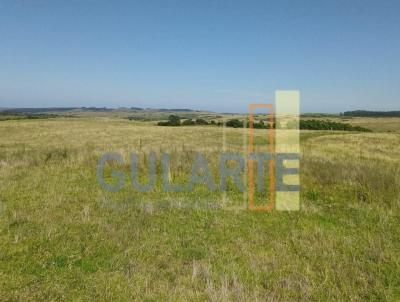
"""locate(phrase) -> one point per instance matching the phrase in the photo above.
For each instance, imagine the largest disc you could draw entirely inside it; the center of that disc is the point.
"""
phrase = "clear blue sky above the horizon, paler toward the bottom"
(206, 55)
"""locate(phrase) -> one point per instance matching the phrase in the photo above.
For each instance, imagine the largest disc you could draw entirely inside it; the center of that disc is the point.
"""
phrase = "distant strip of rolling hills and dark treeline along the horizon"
(380, 121)
